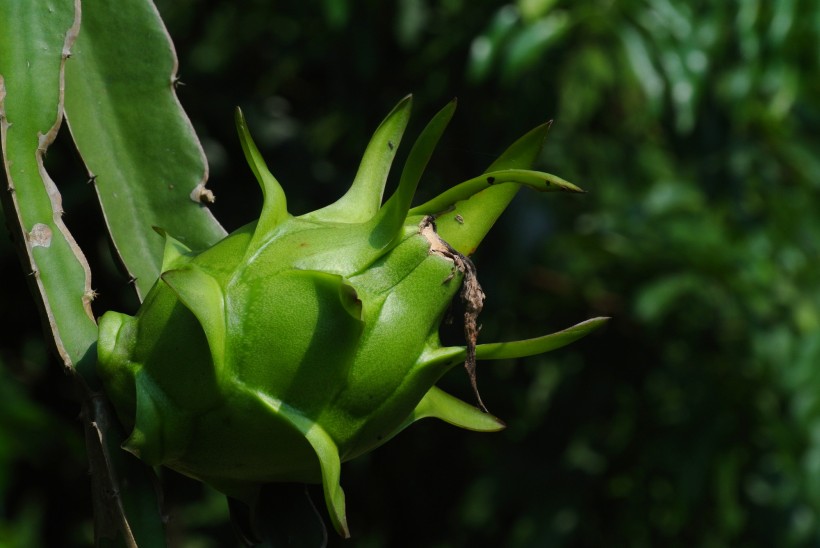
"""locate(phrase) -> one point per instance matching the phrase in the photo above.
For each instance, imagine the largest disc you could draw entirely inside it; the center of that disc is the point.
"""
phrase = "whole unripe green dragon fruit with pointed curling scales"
(300, 342)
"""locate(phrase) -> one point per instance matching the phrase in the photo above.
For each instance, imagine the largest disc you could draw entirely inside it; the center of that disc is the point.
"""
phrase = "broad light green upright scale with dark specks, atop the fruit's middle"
(364, 198)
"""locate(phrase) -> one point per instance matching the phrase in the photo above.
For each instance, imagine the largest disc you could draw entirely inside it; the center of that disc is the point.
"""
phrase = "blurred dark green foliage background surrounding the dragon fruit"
(694, 419)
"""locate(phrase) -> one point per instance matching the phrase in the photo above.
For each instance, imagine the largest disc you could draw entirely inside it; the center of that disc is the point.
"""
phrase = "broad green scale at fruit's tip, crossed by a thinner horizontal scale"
(480, 212)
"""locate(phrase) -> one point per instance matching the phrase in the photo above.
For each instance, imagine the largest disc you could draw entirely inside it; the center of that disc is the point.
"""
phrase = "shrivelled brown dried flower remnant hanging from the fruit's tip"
(471, 295)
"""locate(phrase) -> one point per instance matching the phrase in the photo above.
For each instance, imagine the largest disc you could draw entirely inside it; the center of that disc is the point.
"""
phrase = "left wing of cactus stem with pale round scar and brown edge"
(31, 106)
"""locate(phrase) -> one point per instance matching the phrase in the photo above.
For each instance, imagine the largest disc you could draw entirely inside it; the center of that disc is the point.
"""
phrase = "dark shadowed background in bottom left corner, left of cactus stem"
(43, 473)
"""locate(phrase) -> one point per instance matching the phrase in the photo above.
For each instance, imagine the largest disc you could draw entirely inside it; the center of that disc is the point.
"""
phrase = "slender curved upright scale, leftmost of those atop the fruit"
(275, 206)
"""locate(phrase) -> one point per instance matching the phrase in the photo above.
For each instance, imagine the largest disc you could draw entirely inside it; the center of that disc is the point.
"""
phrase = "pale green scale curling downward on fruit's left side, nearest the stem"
(202, 295)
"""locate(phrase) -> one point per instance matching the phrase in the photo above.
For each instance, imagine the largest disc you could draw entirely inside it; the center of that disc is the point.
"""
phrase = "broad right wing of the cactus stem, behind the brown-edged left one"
(138, 146)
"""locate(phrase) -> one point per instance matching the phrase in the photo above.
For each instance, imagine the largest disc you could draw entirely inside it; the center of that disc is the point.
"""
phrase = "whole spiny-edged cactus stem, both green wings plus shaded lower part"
(64, 60)
